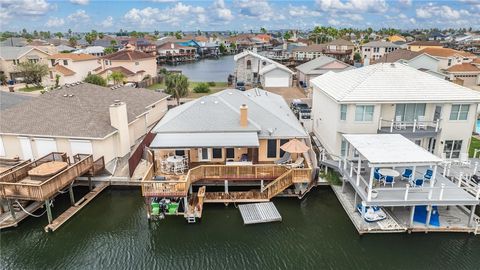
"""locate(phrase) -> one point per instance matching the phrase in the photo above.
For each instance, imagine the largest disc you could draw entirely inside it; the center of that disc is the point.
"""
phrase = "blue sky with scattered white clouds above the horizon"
(238, 15)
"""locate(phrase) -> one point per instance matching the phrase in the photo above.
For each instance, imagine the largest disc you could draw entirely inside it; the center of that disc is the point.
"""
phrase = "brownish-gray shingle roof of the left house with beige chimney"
(83, 115)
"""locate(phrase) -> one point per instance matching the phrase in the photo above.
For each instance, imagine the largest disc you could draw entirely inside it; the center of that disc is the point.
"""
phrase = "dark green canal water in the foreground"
(112, 232)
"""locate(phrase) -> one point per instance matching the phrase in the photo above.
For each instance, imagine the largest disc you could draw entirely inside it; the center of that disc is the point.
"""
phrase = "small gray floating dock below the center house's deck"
(259, 213)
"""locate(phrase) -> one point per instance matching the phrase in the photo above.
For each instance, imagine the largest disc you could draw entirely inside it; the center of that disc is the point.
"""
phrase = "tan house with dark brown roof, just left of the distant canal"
(135, 65)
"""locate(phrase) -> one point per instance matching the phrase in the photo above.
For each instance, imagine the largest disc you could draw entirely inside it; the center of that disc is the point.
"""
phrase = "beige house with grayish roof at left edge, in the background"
(10, 57)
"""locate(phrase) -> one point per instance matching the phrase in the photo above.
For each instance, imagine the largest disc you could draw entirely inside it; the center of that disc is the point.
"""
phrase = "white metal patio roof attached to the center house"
(195, 140)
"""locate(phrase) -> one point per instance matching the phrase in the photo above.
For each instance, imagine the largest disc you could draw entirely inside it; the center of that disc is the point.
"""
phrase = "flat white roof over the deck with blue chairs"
(390, 150)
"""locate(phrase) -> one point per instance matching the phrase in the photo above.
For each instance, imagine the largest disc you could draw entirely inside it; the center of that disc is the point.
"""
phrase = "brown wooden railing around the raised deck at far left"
(12, 188)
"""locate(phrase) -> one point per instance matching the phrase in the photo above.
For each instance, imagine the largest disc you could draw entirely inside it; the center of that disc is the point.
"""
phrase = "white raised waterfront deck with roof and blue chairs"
(388, 170)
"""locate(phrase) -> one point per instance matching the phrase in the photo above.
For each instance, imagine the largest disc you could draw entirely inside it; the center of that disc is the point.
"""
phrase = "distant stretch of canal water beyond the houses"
(207, 70)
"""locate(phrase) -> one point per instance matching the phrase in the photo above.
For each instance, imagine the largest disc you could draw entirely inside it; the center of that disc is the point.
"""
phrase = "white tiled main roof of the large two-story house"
(391, 82)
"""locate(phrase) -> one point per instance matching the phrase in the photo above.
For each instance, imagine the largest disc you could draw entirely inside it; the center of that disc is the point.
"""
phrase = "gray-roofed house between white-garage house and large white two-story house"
(317, 67)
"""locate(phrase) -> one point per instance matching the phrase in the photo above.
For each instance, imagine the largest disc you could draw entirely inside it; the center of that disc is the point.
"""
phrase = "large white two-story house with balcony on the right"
(393, 98)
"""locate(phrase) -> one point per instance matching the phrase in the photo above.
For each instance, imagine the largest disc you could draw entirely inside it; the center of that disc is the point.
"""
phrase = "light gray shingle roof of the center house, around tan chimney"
(268, 115)
